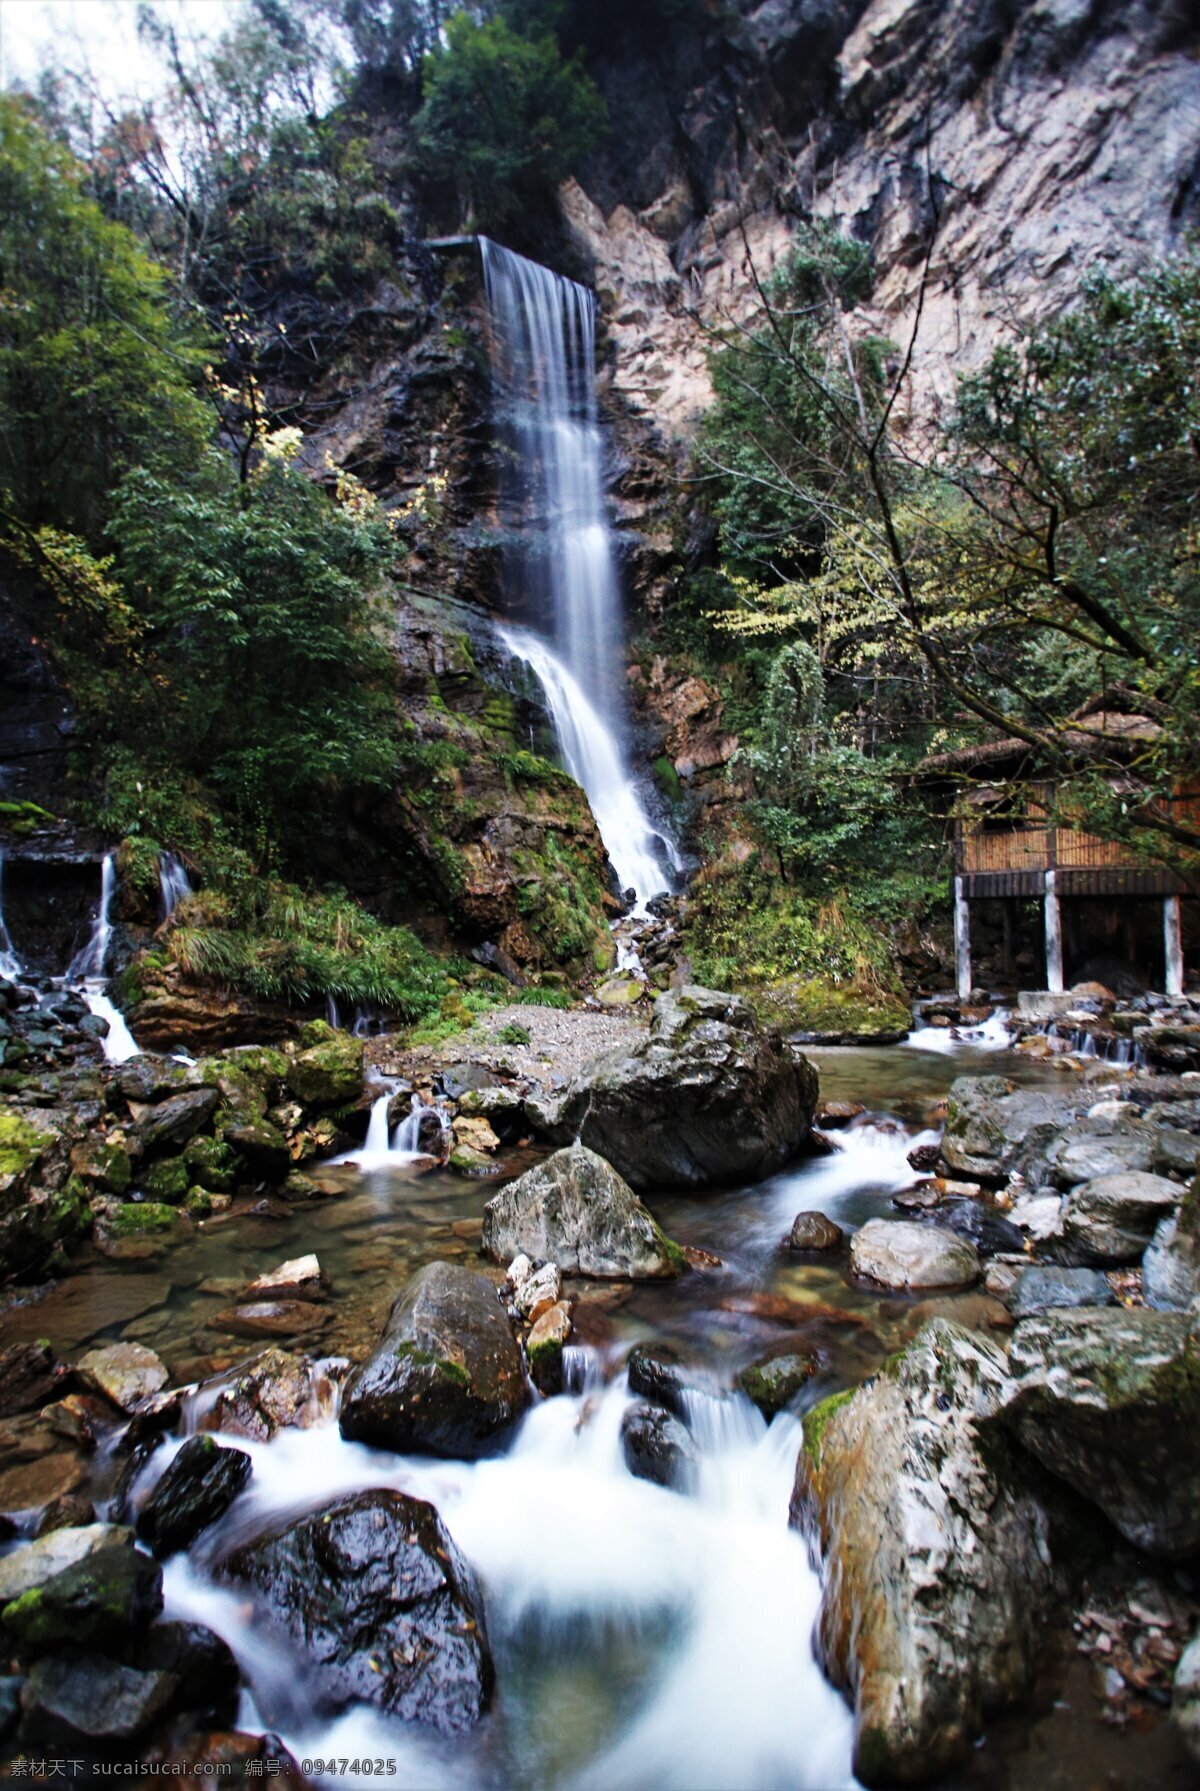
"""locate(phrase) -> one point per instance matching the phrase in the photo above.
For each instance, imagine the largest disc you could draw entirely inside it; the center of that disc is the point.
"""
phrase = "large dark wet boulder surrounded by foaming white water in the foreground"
(382, 1607)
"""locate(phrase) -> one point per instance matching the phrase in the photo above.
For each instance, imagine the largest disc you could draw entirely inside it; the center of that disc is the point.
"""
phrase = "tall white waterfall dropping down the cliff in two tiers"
(560, 547)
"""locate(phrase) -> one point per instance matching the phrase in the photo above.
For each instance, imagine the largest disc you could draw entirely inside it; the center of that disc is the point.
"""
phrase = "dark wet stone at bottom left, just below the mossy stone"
(74, 1699)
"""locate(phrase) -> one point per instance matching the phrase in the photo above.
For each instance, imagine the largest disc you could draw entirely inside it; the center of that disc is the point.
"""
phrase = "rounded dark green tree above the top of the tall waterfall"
(506, 117)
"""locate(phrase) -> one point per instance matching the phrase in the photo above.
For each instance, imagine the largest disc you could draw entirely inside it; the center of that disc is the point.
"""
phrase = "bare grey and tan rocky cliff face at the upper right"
(1050, 137)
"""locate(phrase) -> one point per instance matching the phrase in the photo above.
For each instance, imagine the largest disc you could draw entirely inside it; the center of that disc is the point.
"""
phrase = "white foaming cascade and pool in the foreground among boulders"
(714, 1586)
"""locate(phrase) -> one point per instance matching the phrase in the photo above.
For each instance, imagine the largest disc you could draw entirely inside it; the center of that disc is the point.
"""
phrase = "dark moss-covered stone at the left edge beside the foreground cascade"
(99, 1600)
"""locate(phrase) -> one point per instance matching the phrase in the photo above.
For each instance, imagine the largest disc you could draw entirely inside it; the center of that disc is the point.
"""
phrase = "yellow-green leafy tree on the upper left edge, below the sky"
(98, 372)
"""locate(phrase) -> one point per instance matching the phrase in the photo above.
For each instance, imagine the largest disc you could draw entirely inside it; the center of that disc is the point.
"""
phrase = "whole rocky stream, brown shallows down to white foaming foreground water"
(642, 1636)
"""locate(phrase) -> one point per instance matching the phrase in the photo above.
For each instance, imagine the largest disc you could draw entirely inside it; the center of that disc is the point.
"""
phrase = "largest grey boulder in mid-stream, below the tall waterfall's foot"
(705, 1097)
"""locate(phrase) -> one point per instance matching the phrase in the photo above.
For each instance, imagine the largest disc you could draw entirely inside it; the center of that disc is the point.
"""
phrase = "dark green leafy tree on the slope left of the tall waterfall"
(261, 674)
